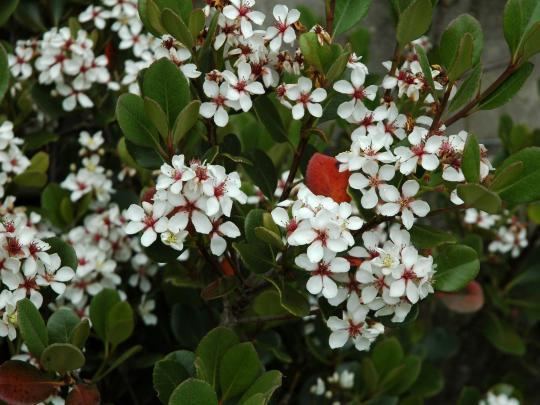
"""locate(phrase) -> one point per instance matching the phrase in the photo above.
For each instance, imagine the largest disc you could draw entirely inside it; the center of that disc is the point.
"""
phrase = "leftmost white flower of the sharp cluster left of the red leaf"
(148, 218)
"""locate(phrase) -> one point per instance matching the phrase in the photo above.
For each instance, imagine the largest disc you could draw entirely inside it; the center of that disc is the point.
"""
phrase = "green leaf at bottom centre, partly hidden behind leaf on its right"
(210, 350)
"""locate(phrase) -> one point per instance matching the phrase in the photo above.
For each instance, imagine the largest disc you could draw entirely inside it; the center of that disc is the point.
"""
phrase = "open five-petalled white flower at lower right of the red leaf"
(404, 202)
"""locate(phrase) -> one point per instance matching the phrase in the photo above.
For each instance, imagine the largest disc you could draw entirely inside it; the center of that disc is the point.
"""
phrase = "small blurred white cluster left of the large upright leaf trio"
(91, 177)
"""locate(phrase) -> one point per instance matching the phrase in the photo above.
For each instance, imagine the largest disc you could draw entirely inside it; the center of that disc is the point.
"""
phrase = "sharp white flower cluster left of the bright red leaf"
(188, 199)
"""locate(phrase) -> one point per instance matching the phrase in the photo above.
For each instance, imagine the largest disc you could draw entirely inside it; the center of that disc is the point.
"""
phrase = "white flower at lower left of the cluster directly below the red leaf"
(321, 272)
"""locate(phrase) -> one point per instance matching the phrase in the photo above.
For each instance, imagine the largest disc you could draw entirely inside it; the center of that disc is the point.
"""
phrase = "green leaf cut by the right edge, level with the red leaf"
(527, 188)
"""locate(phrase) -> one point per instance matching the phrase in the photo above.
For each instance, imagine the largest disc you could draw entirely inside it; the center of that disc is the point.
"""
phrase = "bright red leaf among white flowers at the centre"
(324, 178)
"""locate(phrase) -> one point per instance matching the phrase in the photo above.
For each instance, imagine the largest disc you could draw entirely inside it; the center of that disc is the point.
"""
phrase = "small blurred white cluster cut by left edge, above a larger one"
(12, 159)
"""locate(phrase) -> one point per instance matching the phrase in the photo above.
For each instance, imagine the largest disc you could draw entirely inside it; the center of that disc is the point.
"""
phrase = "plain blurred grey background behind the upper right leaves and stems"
(524, 108)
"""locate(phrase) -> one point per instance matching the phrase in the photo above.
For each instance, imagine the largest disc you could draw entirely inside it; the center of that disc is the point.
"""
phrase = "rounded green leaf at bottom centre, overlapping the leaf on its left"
(239, 368)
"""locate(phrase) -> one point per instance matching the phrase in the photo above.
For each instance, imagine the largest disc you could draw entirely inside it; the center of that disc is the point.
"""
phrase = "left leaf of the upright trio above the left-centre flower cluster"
(133, 121)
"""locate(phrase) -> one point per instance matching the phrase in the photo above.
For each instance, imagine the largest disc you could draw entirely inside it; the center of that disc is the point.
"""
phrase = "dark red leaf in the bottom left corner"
(22, 383)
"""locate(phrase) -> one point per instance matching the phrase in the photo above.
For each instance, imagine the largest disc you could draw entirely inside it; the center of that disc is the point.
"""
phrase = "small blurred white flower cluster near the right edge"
(510, 234)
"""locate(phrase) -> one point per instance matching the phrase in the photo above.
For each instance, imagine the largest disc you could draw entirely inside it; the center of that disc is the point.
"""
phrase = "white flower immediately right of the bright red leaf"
(377, 177)
